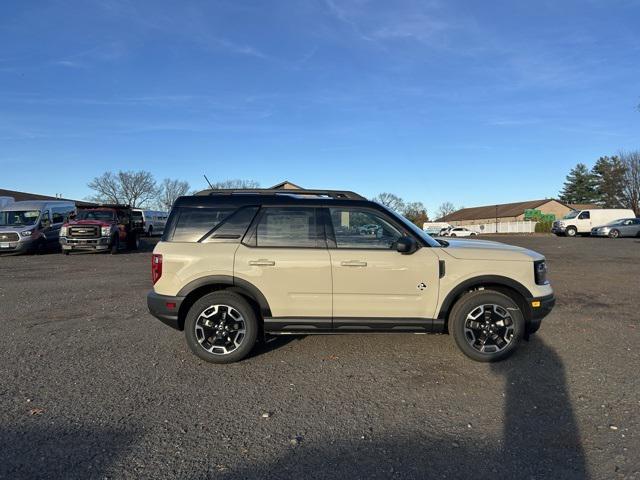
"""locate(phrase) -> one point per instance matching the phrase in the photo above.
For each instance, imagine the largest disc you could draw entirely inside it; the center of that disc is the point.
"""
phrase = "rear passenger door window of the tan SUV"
(287, 227)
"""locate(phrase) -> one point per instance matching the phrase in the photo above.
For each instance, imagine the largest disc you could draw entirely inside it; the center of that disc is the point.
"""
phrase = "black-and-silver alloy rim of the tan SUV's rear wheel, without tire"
(220, 329)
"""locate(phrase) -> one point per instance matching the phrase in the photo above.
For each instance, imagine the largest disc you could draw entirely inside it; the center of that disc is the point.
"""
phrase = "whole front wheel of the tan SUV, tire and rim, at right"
(486, 325)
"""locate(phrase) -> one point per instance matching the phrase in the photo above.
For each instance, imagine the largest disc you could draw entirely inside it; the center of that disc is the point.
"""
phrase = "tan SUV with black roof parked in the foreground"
(233, 266)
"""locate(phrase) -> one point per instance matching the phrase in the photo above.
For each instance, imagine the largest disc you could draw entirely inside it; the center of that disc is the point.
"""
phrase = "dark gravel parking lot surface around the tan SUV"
(92, 386)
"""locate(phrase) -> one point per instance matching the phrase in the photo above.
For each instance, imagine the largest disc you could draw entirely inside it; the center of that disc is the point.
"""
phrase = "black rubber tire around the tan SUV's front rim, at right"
(475, 301)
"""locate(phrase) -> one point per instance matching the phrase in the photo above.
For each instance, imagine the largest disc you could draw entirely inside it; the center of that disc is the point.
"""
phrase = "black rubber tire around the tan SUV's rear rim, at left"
(225, 299)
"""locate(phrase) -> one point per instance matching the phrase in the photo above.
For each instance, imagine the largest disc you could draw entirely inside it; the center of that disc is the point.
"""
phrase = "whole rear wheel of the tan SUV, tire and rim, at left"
(221, 327)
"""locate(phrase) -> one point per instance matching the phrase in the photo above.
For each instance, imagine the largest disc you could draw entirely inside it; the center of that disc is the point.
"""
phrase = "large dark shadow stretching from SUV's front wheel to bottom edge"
(540, 438)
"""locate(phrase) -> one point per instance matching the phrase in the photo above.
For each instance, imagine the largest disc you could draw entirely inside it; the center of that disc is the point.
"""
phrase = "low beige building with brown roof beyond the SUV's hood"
(506, 212)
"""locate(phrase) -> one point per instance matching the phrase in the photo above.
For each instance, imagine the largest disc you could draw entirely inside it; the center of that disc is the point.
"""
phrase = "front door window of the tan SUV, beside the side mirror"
(362, 229)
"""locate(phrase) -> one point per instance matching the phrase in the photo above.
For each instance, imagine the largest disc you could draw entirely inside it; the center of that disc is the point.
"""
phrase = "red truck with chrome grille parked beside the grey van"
(105, 227)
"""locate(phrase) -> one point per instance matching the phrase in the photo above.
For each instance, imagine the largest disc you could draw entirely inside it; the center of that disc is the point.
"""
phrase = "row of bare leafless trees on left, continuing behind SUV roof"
(140, 189)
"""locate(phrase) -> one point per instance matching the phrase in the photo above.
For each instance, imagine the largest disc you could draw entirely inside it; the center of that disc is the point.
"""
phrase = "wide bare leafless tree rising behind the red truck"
(135, 188)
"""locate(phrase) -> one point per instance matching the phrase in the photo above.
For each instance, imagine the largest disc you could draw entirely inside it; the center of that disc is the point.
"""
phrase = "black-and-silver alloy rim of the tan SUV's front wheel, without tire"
(489, 328)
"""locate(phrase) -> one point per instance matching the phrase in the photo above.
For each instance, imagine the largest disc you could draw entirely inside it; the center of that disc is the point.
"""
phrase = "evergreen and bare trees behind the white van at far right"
(612, 182)
